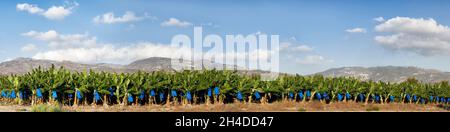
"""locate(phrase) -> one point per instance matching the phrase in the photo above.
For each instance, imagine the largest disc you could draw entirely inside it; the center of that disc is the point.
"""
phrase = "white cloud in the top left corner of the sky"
(52, 13)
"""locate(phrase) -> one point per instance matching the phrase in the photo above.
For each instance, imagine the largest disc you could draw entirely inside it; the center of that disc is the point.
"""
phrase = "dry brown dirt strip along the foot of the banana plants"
(250, 107)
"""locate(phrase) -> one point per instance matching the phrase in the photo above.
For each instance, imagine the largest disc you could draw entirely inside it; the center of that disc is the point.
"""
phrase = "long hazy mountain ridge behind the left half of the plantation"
(24, 65)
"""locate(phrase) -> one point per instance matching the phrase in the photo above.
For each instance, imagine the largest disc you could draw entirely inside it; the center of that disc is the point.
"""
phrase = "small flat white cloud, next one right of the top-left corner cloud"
(110, 18)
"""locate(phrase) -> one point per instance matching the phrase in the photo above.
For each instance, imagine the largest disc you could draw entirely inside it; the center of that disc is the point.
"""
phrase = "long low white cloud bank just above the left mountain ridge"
(126, 54)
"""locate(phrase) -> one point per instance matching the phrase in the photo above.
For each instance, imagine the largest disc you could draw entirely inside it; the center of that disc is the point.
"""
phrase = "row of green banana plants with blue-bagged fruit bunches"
(59, 85)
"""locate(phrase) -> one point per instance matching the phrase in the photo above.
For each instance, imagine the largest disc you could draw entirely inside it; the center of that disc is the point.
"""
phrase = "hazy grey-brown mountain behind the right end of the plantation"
(388, 73)
